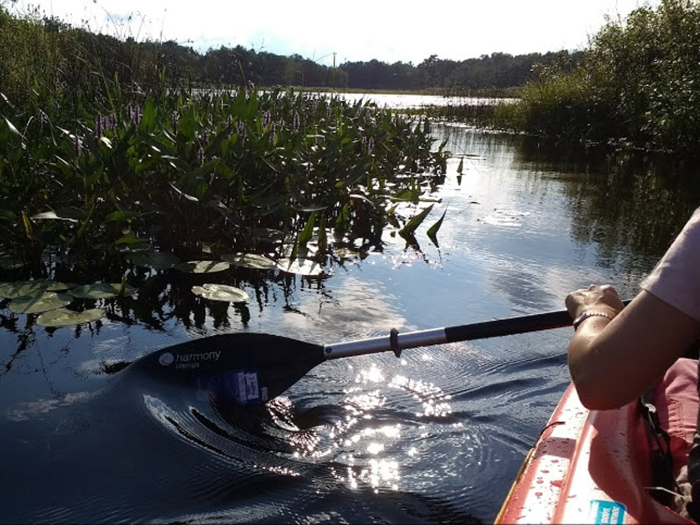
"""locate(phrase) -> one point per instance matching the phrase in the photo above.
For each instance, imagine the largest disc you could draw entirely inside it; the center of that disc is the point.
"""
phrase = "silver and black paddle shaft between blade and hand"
(397, 342)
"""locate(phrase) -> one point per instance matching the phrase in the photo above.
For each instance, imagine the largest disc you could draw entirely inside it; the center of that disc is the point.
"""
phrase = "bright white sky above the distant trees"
(355, 30)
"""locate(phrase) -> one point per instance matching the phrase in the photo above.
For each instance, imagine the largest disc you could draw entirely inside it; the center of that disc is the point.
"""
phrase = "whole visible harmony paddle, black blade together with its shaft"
(251, 369)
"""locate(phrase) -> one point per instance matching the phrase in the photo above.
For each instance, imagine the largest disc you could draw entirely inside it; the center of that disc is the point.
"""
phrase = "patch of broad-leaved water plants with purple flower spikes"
(182, 171)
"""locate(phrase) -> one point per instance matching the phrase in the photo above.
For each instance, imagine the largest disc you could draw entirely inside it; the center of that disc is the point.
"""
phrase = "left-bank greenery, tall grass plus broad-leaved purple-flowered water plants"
(107, 159)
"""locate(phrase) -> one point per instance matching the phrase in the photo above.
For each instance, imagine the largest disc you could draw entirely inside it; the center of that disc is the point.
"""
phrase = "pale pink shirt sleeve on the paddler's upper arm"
(676, 278)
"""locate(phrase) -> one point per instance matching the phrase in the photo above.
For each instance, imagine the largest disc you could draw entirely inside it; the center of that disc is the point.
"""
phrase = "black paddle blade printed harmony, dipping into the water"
(245, 369)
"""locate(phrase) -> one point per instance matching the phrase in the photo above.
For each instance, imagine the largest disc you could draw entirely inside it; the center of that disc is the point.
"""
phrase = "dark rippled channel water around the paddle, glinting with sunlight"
(435, 436)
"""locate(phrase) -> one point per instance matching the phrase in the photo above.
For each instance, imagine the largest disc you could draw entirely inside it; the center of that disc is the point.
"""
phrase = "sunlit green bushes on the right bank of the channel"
(638, 85)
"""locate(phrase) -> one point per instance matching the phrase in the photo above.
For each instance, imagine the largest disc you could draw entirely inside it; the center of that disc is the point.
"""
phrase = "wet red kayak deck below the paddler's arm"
(587, 467)
